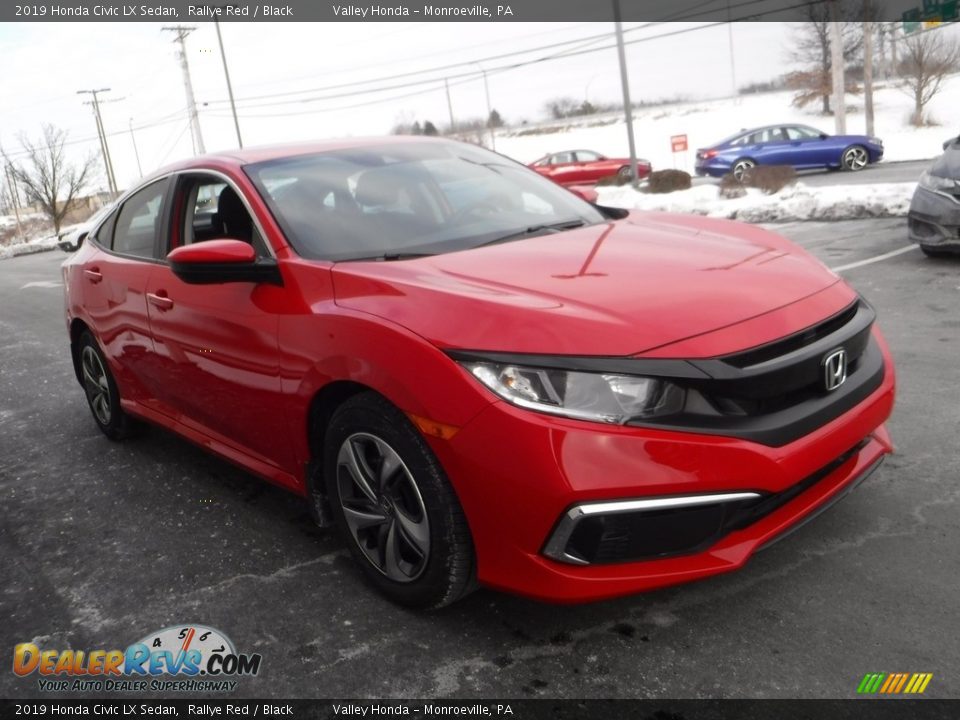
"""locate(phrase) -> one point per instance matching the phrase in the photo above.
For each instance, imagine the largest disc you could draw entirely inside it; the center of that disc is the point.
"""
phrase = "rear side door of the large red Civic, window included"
(114, 280)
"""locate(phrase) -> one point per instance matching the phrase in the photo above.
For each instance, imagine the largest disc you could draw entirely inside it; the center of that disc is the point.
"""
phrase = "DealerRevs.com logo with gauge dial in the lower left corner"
(181, 658)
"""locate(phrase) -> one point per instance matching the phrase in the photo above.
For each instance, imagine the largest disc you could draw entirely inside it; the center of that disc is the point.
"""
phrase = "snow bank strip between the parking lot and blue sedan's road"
(793, 203)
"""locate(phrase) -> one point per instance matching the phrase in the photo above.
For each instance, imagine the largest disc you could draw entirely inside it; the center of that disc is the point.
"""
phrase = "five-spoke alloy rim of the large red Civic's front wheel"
(383, 507)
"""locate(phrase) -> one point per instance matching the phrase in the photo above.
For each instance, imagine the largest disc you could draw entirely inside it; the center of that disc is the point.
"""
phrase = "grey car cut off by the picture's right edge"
(934, 217)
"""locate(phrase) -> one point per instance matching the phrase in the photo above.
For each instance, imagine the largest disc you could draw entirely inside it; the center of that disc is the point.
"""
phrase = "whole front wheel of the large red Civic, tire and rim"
(405, 527)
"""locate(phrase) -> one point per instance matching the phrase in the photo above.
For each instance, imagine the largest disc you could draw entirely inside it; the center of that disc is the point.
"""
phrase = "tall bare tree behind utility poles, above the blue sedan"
(811, 50)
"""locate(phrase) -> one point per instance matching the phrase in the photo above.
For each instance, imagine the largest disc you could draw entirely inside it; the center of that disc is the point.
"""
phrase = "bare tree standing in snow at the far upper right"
(927, 58)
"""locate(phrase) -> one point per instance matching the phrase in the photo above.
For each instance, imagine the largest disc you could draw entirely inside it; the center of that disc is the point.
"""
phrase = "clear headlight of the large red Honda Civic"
(580, 395)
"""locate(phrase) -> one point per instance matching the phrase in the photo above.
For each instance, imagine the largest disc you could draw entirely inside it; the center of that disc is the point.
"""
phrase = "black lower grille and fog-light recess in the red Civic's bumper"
(655, 534)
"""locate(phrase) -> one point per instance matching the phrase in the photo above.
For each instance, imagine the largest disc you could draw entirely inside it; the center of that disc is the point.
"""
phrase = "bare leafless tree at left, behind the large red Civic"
(46, 177)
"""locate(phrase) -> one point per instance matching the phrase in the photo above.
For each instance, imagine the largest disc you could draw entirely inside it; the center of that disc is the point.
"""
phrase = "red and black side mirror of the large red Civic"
(222, 261)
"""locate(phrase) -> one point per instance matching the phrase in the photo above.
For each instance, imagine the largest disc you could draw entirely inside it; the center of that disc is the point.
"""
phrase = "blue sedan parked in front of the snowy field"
(802, 147)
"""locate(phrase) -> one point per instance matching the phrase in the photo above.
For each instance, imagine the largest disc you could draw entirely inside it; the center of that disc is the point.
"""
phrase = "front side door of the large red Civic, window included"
(216, 345)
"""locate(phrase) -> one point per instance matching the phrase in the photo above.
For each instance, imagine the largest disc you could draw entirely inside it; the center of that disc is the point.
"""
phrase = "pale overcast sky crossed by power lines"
(298, 81)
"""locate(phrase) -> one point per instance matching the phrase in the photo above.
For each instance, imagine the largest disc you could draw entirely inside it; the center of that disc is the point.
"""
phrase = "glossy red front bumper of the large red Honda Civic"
(517, 473)
